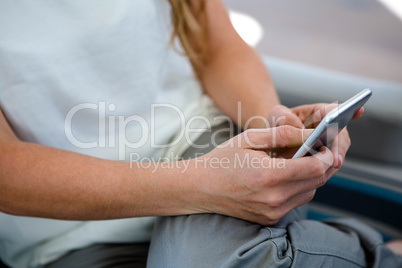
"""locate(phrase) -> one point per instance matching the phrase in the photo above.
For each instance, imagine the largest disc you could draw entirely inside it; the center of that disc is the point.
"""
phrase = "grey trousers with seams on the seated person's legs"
(211, 240)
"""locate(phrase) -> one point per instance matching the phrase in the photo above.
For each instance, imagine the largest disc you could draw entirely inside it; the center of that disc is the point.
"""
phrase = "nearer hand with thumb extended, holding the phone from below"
(239, 178)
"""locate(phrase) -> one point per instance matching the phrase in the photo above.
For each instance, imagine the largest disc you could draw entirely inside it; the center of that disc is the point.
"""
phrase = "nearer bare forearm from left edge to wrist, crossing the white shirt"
(44, 182)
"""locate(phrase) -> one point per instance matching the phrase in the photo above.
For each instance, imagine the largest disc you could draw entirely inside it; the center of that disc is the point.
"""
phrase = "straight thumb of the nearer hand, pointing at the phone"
(277, 137)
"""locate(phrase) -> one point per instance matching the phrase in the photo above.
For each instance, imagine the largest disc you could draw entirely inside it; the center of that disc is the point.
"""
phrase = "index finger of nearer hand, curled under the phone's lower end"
(303, 168)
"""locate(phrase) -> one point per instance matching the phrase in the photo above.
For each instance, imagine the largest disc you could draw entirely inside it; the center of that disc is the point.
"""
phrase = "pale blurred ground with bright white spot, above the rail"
(361, 37)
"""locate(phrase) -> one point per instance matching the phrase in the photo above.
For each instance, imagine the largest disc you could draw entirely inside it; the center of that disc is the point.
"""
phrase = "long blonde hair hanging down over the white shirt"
(186, 20)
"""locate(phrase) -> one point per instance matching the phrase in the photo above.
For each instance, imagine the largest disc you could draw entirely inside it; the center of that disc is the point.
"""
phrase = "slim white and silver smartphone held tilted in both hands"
(329, 127)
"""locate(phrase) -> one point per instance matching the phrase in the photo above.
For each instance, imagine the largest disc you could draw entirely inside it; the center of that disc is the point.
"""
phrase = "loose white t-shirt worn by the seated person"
(81, 76)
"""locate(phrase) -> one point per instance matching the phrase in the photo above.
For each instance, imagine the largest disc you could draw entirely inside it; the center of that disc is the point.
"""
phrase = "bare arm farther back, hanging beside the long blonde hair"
(233, 72)
